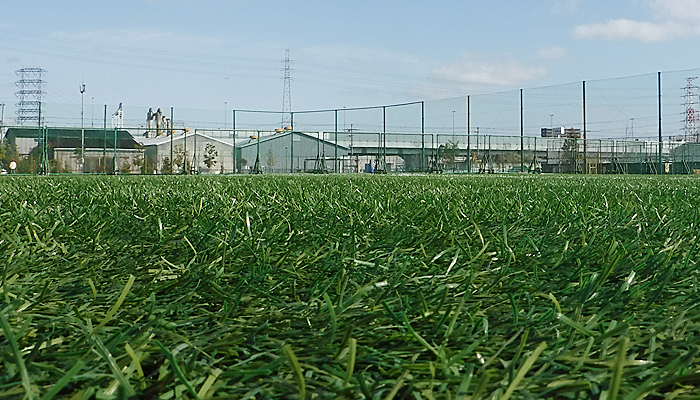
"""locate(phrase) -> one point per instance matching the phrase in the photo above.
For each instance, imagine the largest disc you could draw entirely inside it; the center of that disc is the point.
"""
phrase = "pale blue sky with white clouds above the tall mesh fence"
(228, 54)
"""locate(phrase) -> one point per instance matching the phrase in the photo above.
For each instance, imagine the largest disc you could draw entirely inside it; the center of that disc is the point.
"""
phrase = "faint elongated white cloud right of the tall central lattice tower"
(503, 73)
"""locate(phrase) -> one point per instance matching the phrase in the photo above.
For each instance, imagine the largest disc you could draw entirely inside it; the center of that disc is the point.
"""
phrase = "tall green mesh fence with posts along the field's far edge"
(640, 124)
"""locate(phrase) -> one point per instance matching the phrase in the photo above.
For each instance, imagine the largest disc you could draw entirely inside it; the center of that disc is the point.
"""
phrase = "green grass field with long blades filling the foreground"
(349, 287)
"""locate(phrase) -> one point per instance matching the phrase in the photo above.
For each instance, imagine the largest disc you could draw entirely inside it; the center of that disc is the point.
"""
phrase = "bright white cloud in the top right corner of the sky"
(673, 19)
